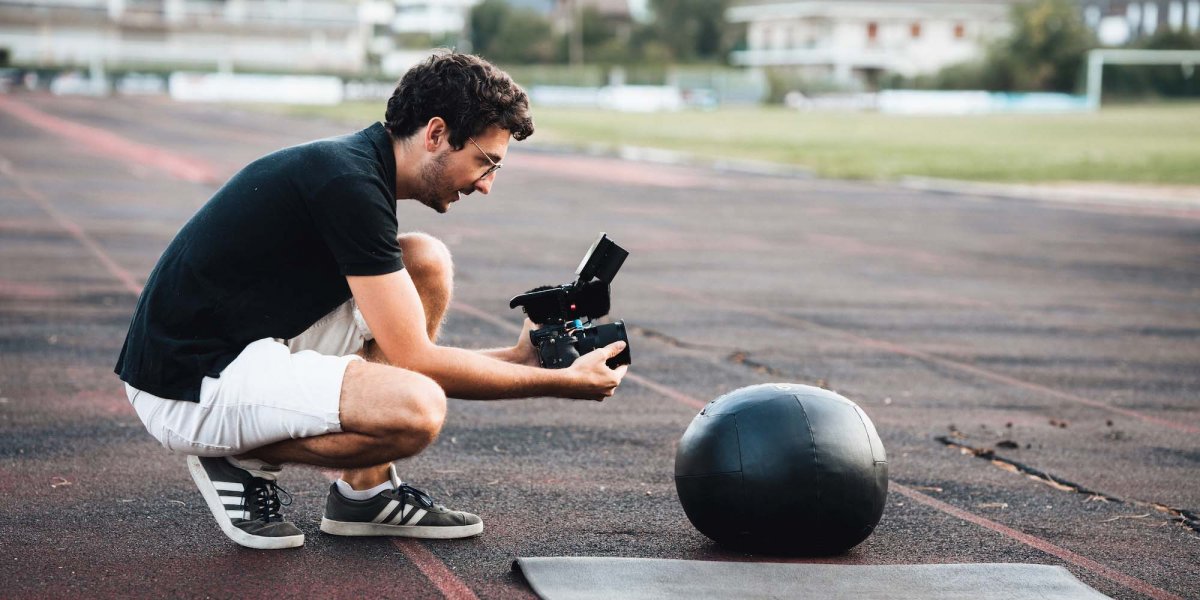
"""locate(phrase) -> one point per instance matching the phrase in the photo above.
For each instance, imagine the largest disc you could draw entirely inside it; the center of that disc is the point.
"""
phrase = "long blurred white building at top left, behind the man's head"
(340, 37)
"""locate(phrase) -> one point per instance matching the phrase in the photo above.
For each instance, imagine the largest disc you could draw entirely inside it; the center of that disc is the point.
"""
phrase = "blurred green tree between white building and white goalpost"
(1046, 51)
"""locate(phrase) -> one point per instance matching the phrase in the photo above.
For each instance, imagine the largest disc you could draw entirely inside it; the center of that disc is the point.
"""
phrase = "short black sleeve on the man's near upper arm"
(357, 219)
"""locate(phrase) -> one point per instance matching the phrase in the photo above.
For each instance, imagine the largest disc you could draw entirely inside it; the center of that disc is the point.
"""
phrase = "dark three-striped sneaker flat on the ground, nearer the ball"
(404, 512)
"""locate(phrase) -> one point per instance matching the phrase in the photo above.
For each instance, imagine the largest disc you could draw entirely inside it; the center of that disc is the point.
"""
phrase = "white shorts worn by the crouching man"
(274, 391)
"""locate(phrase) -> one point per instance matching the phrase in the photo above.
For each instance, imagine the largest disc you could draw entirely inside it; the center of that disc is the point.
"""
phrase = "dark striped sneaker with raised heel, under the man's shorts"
(247, 505)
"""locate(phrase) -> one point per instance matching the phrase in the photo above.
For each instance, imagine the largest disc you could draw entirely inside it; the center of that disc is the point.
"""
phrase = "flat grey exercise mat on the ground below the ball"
(631, 579)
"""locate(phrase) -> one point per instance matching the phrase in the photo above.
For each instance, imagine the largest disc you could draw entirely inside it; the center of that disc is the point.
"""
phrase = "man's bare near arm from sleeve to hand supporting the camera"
(394, 313)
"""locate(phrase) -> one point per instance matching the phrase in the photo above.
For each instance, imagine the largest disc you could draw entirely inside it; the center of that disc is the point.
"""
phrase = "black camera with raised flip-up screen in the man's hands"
(563, 314)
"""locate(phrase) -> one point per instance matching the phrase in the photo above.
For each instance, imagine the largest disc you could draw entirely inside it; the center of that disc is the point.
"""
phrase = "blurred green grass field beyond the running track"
(1136, 145)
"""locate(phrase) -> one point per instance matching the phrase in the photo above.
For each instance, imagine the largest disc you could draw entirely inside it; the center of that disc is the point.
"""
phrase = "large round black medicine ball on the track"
(783, 469)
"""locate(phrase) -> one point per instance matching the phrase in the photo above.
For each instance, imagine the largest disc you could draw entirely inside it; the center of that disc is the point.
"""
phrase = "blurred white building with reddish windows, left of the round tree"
(851, 43)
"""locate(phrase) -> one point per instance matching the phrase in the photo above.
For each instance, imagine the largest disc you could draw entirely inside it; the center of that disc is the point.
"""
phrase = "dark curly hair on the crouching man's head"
(467, 92)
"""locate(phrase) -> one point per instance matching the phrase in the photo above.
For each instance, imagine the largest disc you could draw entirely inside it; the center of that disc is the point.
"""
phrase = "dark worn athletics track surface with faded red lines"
(1033, 368)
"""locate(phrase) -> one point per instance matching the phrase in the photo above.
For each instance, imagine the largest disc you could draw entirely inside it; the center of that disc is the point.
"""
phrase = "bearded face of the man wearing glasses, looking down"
(449, 173)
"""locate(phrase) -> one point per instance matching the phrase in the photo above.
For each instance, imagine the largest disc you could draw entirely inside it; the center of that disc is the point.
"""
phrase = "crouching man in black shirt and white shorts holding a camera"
(291, 322)
